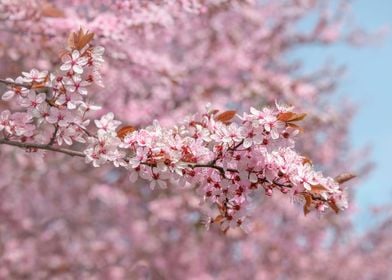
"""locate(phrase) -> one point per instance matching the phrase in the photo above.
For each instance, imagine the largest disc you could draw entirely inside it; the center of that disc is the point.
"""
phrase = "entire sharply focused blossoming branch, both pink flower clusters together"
(224, 155)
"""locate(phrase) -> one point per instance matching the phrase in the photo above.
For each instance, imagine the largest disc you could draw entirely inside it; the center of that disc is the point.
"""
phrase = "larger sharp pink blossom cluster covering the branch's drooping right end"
(226, 160)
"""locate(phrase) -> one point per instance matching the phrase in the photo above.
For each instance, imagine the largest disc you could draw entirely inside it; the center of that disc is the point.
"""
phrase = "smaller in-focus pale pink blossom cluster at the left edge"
(55, 104)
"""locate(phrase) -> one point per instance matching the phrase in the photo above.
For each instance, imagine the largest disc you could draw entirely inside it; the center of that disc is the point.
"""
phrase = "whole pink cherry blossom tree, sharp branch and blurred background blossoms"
(200, 88)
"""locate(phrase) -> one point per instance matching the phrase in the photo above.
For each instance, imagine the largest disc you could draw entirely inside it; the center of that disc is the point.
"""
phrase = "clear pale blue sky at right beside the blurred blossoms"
(368, 83)
